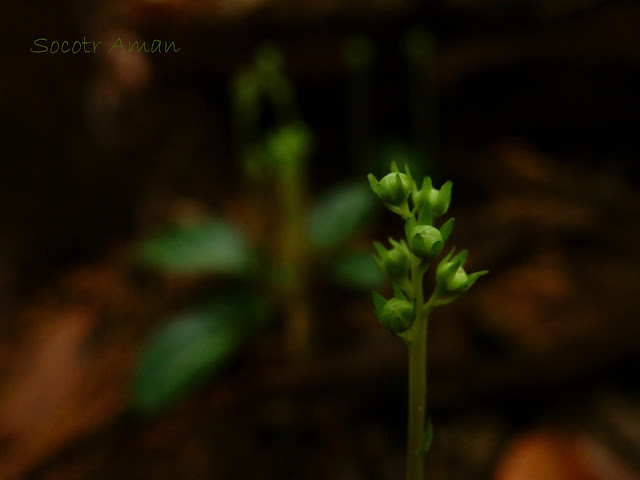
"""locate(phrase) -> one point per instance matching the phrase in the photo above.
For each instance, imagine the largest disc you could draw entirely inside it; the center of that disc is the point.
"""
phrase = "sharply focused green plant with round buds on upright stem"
(407, 313)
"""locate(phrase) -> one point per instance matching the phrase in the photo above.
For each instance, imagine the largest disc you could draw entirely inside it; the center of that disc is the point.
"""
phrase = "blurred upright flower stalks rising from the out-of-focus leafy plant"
(276, 167)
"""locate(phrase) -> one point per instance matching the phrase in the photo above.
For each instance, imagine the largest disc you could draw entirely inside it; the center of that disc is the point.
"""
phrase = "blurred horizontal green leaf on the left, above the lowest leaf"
(210, 247)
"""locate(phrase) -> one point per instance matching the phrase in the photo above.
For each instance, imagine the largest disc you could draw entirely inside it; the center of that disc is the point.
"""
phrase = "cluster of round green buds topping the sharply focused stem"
(420, 208)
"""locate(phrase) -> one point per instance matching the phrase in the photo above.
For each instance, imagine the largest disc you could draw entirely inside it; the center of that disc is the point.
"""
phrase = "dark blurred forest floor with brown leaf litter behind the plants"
(533, 375)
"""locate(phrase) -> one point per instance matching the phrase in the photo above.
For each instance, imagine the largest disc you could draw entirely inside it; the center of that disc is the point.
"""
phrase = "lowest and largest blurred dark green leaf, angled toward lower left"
(193, 346)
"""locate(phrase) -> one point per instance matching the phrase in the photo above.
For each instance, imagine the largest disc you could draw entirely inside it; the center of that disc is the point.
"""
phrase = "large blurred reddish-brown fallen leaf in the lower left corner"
(59, 389)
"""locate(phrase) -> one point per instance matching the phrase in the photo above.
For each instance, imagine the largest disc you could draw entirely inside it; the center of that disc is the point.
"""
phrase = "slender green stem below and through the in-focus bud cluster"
(417, 379)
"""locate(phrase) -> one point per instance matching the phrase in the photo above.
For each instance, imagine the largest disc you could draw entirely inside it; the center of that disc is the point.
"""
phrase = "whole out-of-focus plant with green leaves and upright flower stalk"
(267, 272)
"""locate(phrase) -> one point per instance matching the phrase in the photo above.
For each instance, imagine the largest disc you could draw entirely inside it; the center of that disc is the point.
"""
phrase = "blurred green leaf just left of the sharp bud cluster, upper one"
(338, 213)
